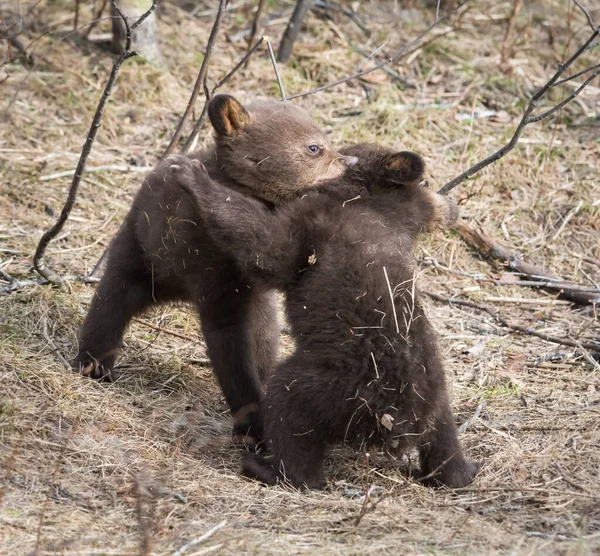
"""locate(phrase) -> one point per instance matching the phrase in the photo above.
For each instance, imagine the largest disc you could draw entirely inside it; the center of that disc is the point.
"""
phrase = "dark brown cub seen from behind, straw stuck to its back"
(366, 368)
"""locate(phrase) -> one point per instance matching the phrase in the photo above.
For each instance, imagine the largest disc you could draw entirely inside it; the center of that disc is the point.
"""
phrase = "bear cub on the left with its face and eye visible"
(163, 251)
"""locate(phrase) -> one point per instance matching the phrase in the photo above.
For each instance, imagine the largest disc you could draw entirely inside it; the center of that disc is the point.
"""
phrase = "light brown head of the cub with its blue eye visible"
(273, 148)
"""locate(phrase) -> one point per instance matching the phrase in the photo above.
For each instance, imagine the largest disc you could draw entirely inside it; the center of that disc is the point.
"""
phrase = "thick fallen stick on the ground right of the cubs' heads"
(488, 248)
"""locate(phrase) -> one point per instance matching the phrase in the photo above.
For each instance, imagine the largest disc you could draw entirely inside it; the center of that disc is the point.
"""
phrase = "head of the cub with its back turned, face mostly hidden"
(384, 172)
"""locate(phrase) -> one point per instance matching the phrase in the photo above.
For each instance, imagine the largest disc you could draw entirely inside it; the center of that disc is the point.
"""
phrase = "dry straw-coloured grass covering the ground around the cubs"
(88, 467)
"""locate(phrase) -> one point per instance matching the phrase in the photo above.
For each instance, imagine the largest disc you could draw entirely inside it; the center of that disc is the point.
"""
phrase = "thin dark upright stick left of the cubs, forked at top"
(38, 262)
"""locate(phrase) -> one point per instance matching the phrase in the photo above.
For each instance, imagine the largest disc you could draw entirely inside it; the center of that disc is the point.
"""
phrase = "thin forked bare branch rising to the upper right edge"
(527, 117)
